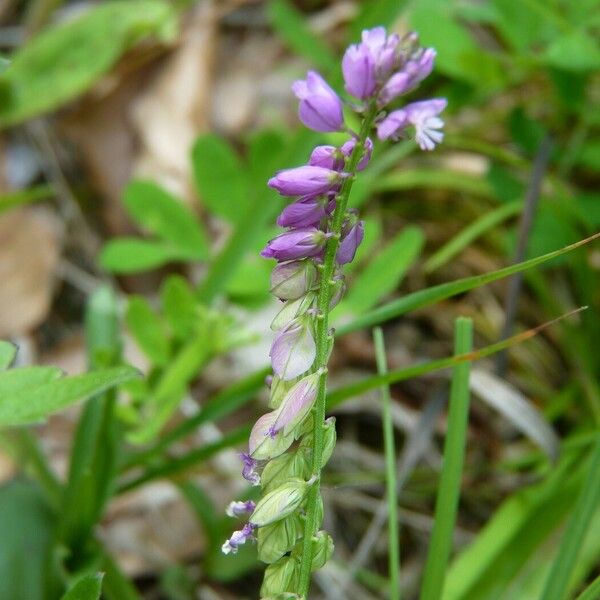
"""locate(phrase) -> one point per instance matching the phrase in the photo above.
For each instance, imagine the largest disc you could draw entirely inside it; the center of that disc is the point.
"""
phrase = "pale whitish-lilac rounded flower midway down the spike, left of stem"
(293, 350)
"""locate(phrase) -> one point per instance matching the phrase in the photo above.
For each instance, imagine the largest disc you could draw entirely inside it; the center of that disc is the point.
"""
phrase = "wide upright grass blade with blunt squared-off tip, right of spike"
(454, 449)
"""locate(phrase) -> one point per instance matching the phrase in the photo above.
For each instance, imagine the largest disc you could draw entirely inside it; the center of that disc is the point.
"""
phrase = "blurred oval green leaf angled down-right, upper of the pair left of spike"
(157, 211)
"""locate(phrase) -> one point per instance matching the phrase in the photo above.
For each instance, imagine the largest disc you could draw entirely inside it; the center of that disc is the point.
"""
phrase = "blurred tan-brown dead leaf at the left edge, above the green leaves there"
(29, 254)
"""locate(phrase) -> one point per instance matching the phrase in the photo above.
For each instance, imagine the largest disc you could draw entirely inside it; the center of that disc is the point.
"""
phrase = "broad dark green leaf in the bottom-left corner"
(27, 525)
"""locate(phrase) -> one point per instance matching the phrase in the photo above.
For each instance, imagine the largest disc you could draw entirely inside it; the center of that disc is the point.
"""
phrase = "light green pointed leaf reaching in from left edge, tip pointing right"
(31, 405)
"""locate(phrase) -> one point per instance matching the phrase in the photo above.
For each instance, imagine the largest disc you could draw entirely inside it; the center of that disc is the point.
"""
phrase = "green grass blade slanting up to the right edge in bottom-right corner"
(566, 558)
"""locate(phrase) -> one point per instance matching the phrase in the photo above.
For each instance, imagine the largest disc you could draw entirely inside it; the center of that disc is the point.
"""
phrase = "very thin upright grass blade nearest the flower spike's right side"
(390, 469)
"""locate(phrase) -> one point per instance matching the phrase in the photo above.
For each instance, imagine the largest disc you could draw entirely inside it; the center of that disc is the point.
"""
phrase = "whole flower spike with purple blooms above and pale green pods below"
(289, 445)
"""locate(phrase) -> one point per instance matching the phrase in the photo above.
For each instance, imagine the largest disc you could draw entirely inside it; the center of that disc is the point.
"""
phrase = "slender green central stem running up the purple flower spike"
(323, 342)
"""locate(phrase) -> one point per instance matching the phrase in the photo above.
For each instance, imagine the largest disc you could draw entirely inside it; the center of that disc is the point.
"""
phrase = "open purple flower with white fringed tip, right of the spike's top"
(423, 116)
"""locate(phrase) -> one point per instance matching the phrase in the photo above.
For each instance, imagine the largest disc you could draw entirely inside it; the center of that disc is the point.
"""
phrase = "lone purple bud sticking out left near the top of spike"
(320, 107)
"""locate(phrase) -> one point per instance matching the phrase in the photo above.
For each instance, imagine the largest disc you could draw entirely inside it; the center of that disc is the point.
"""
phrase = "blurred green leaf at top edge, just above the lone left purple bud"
(292, 26)
